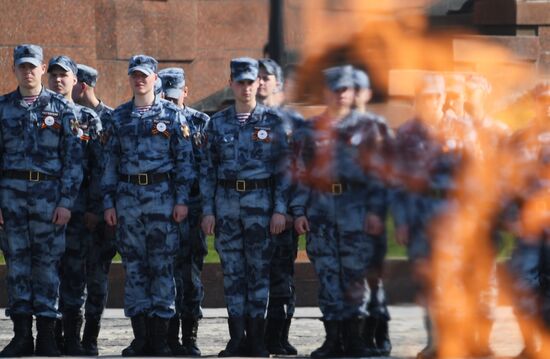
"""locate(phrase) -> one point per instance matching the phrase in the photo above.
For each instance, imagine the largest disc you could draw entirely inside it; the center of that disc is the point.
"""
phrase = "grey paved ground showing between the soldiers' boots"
(307, 333)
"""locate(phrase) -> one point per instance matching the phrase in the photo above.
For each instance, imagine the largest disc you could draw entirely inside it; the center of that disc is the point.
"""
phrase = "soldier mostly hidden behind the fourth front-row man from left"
(376, 330)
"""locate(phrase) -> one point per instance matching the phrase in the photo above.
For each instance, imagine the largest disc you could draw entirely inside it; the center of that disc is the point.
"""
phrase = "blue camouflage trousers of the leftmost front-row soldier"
(32, 246)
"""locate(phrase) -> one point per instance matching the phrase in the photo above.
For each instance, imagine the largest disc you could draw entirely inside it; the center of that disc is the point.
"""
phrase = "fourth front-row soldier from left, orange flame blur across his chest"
(342, 206)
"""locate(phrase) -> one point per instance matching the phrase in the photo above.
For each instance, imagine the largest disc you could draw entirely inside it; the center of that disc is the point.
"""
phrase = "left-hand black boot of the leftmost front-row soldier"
(22, 343)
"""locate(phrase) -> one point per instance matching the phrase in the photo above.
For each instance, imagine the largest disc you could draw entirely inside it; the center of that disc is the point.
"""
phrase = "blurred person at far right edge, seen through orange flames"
(529, 262)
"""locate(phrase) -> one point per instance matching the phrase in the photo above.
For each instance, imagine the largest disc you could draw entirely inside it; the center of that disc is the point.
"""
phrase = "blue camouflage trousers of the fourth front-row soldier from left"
(341, 253)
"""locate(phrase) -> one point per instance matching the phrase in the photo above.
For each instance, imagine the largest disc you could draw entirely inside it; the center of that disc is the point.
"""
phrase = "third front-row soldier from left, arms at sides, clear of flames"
(245, 184)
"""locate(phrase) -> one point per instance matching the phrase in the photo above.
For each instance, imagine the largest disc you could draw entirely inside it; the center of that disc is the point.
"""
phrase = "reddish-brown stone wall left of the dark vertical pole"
(199, 35)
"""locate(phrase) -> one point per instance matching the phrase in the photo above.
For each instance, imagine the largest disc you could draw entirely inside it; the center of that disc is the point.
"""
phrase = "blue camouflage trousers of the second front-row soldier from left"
(147, 239)
